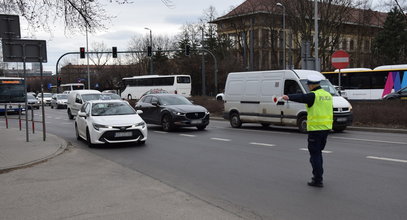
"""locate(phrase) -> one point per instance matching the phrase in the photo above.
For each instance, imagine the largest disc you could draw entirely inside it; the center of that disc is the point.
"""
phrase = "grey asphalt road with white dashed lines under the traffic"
(262, 173)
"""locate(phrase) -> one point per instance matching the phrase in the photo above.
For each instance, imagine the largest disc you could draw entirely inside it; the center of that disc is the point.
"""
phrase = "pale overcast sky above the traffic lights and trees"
(131, 19)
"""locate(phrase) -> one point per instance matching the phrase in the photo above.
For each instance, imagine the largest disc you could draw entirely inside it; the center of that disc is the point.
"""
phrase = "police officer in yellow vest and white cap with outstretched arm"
(319, 123)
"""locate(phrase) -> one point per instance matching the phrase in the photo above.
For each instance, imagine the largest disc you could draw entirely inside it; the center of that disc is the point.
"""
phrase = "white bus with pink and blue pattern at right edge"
(367, 84)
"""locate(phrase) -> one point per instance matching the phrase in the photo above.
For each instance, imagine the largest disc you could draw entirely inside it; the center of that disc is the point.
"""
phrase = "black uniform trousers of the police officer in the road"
(316, 143)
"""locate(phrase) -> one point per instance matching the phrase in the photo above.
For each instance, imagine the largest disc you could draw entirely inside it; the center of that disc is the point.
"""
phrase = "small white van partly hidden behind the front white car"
(77, 97)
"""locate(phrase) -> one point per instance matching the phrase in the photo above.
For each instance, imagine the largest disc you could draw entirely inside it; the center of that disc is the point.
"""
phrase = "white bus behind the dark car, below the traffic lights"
(136, 86)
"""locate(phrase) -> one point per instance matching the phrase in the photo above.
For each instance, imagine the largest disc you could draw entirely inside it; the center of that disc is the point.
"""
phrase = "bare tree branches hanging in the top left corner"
(76, 14)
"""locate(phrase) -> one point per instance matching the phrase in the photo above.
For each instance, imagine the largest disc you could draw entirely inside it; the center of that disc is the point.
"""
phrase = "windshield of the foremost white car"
(112, 108)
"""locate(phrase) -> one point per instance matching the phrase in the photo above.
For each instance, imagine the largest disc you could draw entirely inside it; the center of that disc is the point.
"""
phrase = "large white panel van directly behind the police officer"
(253, 97)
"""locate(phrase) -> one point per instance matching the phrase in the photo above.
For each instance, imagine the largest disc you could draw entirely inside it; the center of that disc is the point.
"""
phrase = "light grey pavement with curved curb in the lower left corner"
(78, 184)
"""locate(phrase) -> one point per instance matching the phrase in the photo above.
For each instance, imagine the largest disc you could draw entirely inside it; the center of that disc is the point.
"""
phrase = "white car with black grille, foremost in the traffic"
(110, 121)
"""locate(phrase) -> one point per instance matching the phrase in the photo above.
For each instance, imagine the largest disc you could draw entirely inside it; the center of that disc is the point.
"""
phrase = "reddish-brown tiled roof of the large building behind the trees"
(270, 6)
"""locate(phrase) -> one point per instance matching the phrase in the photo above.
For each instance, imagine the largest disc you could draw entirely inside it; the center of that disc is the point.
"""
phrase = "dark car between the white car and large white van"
(171, 110)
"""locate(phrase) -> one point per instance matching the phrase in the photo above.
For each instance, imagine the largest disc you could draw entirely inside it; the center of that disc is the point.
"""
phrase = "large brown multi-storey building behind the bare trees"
(256, 28)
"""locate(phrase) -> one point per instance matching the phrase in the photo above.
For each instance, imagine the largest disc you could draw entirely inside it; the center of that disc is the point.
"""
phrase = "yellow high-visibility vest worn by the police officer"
(320, 115)
